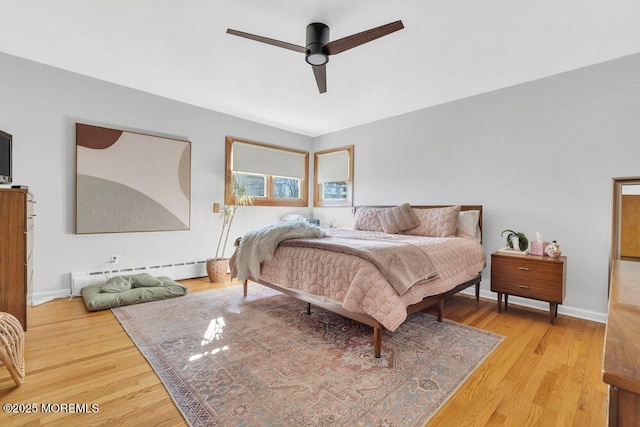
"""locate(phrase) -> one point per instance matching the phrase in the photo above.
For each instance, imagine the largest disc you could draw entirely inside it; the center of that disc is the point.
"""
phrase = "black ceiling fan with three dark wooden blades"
(318, 47)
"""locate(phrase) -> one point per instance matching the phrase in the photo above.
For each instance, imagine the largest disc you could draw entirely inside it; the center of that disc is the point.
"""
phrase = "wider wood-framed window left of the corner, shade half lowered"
(272, 175)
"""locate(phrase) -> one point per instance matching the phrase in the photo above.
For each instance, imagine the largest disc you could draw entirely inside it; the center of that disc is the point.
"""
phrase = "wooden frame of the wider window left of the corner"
(269, 200)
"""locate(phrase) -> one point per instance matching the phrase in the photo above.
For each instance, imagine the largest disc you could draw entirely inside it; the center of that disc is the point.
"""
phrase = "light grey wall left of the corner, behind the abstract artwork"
(40, 105)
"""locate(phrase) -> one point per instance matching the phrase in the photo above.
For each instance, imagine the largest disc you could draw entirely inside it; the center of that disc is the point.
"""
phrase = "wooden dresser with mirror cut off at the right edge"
(621, 360)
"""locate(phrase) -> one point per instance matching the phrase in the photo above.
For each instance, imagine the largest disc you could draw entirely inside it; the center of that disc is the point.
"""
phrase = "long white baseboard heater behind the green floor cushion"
(178, 271)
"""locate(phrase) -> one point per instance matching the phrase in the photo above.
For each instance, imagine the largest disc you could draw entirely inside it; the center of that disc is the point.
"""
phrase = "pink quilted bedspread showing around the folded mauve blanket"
(360, 286)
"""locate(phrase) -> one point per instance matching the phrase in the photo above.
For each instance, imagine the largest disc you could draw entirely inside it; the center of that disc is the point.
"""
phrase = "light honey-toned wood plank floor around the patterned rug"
(540, 375)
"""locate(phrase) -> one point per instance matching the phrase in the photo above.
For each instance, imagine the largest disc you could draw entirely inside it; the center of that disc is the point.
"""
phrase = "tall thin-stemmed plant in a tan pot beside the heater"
(218, 265)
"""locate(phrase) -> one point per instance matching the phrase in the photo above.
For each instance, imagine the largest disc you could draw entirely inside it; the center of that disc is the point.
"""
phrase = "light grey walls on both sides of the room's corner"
(539, 157)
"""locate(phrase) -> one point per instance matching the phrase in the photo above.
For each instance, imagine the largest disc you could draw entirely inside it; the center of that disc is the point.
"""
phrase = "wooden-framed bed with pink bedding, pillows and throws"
(332, 272)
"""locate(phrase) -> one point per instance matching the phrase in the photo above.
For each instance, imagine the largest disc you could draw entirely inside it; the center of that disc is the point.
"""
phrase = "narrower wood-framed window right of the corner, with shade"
(333, 177)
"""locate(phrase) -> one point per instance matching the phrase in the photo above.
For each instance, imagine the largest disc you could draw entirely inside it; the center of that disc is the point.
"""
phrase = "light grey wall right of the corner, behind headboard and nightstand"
(538, 156)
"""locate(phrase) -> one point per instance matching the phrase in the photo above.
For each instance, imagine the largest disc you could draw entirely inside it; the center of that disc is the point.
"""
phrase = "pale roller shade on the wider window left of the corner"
(251, 158)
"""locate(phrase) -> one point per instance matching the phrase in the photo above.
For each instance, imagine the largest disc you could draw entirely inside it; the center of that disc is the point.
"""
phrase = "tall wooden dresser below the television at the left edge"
(16, 252)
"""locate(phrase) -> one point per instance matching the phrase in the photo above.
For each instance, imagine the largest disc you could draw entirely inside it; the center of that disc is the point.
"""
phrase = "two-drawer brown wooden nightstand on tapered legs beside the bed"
(529, 276)
